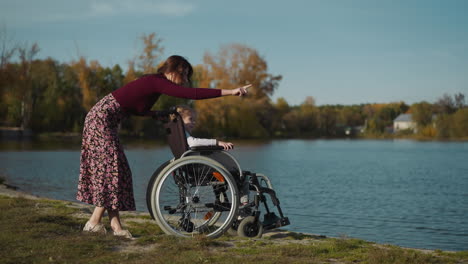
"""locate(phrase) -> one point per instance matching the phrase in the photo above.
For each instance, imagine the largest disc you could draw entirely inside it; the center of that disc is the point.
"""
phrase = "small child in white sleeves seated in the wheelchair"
(189, 117)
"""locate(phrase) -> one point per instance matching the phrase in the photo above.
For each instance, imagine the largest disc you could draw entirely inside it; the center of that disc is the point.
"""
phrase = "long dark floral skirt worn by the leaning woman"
(105, 176)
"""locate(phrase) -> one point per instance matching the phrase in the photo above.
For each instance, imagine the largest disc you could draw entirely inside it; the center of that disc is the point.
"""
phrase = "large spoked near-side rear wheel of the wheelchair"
(194, 196)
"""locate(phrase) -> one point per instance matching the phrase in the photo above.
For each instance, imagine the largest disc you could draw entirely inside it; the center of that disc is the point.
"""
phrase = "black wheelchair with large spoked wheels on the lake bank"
(198, 191)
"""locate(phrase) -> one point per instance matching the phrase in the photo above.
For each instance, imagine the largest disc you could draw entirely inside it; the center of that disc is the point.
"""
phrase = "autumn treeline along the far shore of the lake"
(48, 96)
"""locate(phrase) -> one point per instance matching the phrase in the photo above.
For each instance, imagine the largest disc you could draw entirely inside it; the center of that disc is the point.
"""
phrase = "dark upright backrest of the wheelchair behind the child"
(176, 138)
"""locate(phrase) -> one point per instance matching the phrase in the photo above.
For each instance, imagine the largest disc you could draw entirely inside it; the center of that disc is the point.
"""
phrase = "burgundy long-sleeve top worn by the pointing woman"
(137, 97)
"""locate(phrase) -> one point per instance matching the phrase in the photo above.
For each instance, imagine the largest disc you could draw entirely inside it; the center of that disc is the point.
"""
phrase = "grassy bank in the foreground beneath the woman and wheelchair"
(44, 231)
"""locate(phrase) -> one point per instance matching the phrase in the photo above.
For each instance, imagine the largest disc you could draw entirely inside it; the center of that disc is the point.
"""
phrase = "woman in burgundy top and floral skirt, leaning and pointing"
(105, 177)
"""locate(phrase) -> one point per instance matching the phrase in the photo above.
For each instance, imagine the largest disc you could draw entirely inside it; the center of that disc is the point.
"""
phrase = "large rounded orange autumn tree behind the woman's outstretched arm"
(232, 66)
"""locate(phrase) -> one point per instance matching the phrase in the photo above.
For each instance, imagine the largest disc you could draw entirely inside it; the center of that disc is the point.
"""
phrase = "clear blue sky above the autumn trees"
(338, 51)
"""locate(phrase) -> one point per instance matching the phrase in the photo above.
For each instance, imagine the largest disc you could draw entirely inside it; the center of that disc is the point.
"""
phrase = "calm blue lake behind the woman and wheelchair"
(402, 192)
